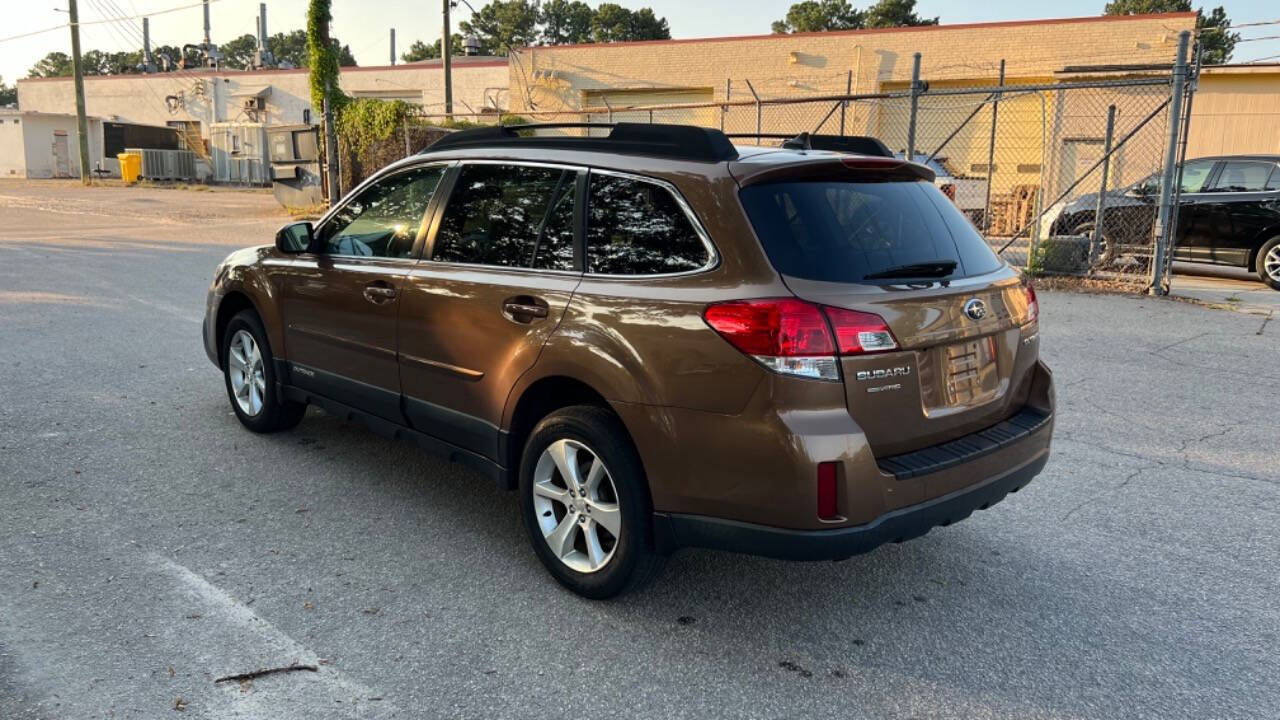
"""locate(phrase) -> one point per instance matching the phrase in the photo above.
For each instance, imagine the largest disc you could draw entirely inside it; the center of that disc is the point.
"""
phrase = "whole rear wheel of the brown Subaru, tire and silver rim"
(586, 504)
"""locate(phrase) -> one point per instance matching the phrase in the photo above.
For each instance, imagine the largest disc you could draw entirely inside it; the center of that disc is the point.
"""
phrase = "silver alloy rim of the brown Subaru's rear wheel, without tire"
(577, 505)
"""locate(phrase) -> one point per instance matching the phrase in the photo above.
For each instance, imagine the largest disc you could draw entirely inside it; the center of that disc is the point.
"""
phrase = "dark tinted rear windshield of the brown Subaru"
(845, 231)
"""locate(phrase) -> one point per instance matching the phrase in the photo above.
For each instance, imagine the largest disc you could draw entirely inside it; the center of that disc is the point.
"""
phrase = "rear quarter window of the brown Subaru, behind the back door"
(637, 227)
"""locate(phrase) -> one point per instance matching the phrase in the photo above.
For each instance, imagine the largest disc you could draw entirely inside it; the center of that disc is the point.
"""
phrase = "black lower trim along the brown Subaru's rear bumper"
(676, 531)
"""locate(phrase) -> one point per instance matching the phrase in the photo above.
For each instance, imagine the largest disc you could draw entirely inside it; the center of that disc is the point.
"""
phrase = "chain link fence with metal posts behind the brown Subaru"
(1073, 177)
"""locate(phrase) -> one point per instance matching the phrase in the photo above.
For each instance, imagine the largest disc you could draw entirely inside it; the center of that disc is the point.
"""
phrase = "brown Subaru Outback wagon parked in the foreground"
(659, 339)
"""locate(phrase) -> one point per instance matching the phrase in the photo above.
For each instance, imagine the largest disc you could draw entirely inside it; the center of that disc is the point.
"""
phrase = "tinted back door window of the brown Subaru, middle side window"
(510, 216)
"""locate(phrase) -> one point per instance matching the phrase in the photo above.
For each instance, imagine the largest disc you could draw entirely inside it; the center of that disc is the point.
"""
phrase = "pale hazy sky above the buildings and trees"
(364, 24)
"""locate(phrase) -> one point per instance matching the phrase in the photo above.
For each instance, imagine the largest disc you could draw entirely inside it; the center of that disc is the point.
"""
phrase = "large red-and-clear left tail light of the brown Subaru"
(799, 339)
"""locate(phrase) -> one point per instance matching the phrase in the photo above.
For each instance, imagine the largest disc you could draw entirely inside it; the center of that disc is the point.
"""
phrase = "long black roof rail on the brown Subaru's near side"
(684, 143)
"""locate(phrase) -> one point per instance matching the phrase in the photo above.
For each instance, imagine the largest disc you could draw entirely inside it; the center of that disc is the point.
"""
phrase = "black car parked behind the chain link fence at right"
(1229, 215)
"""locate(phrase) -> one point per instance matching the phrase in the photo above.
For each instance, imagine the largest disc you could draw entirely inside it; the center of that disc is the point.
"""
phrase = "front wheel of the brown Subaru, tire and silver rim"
(250, 376)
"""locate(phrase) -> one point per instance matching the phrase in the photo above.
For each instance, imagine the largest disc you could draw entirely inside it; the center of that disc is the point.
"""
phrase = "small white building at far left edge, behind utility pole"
(44, 145)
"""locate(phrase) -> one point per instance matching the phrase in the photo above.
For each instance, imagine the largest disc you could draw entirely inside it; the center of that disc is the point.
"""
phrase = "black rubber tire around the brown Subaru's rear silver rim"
(634, 563)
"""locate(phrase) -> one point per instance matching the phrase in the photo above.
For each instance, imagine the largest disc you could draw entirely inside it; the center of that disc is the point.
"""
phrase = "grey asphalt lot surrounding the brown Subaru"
(149, 545)
